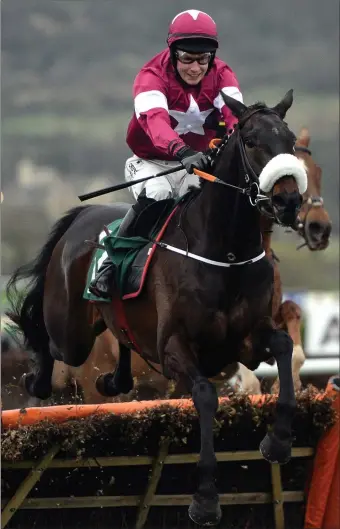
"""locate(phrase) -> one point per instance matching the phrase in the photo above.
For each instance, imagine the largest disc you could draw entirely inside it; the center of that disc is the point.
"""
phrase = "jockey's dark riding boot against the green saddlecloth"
(102, 284)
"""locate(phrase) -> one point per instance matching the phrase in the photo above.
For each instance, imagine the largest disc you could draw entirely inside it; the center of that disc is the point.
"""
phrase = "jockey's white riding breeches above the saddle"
(173, 185)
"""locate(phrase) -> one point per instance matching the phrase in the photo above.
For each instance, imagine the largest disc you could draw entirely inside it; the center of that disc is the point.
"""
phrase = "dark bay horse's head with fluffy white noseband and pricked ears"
(269, 157)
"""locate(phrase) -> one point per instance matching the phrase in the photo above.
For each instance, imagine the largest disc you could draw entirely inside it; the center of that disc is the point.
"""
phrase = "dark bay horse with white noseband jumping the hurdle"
(200, 310)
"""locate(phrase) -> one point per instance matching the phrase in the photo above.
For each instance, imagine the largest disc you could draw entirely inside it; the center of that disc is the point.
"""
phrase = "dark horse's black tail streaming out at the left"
(26, 308)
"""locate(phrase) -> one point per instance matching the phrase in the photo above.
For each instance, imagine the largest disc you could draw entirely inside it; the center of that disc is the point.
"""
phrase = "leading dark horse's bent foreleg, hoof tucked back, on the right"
(276, 446)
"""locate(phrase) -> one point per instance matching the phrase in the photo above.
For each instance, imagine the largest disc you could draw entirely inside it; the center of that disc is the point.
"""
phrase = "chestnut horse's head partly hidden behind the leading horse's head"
(314, 223)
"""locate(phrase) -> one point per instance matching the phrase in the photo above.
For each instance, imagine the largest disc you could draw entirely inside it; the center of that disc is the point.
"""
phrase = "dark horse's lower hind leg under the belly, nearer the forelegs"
(120, 381)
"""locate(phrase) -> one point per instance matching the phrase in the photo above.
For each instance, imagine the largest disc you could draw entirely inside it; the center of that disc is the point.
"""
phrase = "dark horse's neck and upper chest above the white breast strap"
(222, 218)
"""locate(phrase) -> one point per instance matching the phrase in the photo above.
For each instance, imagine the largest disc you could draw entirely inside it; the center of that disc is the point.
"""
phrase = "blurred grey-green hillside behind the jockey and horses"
(67, 72)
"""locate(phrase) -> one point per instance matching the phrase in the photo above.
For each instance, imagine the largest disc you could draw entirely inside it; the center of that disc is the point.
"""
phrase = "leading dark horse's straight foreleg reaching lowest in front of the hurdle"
(204, 508)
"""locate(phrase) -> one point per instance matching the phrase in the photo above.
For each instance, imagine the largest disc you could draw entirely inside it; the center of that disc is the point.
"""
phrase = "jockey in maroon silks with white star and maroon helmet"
(177, 112)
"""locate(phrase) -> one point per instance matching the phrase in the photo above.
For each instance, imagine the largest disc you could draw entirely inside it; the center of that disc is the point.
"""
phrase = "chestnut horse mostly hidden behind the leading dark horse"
(313, 225)
